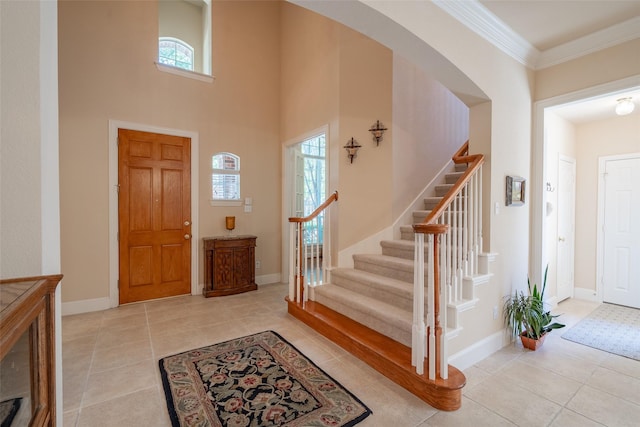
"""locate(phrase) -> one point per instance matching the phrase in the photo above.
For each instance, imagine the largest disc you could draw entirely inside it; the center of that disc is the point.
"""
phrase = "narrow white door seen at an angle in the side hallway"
(566, 188)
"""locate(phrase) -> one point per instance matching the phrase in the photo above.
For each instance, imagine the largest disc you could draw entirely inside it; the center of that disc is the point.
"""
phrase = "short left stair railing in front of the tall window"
(309, 258)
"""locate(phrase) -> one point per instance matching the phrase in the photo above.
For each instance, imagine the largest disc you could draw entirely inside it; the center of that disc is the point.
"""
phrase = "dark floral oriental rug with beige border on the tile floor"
(257, 380)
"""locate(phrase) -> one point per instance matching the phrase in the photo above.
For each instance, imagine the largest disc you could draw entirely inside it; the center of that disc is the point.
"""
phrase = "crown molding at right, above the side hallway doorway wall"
(603, 39)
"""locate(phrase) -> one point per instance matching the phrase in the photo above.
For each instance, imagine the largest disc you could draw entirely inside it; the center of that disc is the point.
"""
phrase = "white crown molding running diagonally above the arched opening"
(479, 19)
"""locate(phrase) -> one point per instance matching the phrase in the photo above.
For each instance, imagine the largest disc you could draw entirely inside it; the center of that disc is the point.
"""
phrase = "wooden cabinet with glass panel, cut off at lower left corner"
(27, 349)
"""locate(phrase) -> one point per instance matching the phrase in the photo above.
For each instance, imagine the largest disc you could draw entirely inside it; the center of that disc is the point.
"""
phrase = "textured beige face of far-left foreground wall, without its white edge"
(20, 149)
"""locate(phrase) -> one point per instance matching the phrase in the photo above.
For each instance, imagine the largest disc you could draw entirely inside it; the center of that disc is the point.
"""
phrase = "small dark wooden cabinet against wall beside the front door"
(229, 263)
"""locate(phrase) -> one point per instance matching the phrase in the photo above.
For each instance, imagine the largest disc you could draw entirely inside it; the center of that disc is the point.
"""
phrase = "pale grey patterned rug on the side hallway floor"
(611, 328)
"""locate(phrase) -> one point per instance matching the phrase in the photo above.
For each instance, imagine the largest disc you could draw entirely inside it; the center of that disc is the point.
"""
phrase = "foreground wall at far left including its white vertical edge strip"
(29, 178)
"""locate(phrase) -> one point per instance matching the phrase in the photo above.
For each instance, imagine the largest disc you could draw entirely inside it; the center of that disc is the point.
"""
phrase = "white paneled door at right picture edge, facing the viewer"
(621, 231)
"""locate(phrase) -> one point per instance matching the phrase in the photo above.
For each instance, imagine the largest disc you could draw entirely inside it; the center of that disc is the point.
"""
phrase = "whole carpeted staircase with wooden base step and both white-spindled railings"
(371, 309)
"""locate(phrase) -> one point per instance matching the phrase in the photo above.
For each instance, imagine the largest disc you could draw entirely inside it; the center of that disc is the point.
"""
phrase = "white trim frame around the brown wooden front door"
(114, 264)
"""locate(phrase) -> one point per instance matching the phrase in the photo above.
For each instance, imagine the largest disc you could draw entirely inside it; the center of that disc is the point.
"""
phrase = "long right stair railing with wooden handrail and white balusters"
(453, 232)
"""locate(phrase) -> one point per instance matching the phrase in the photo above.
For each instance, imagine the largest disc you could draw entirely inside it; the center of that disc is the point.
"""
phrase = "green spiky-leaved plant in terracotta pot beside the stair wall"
(526, 317)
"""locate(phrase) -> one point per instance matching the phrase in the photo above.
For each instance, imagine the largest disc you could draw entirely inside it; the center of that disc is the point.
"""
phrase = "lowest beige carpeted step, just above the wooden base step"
(387, 319)
